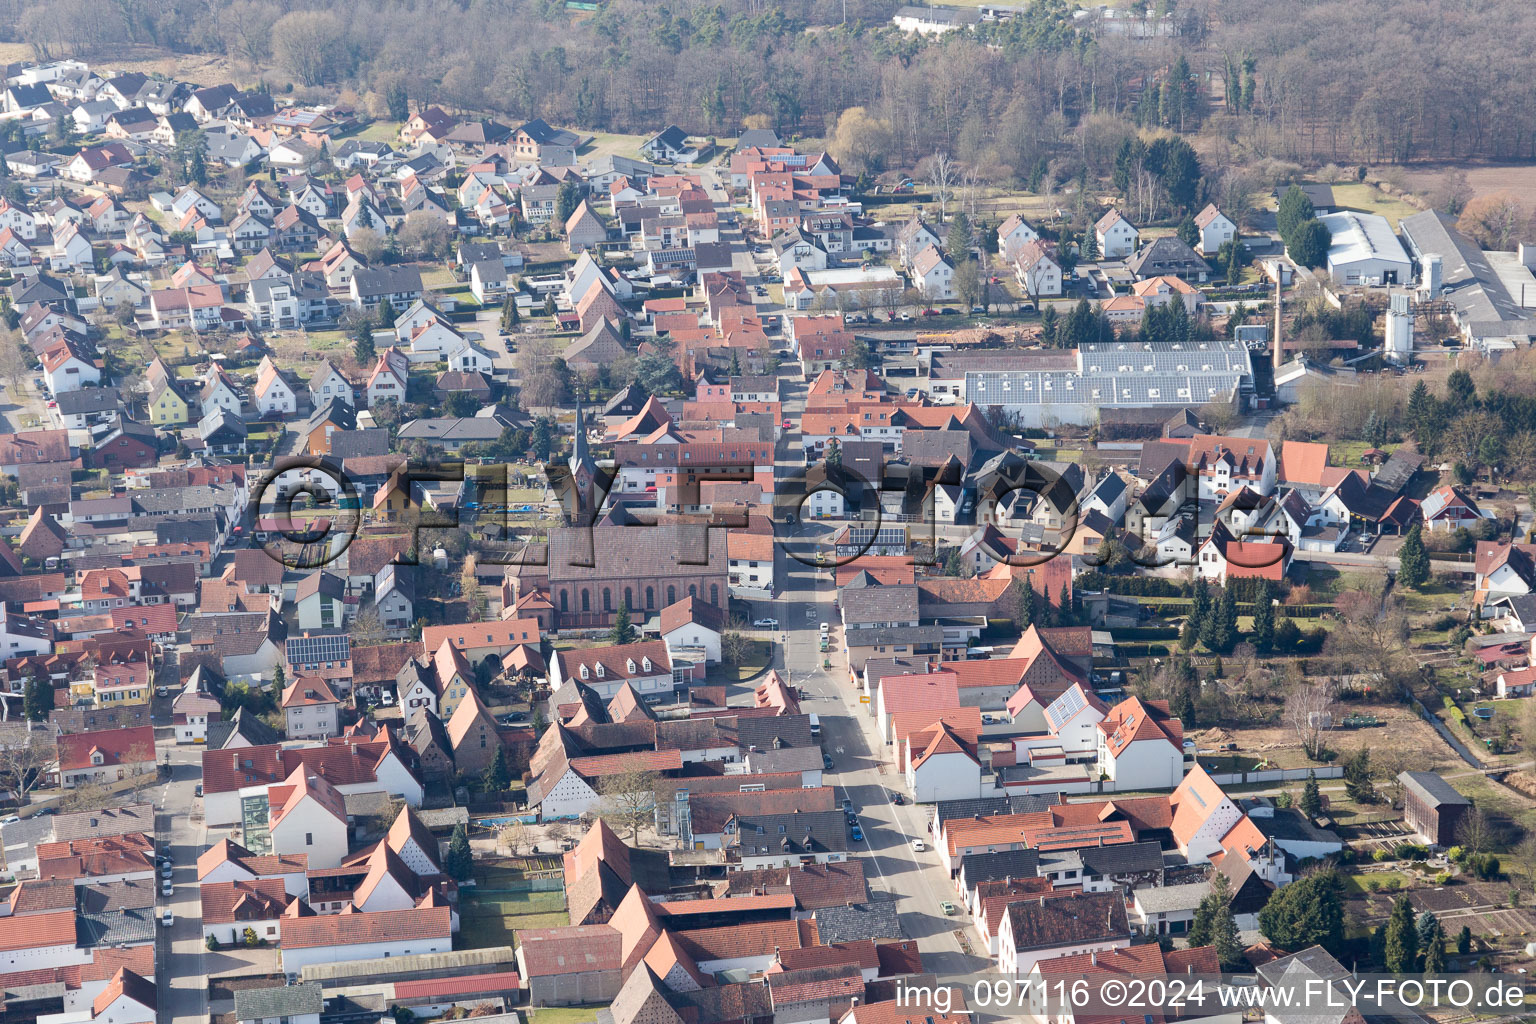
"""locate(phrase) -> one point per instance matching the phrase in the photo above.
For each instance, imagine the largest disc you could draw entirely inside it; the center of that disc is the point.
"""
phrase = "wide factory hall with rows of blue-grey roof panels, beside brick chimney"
(1116, 375)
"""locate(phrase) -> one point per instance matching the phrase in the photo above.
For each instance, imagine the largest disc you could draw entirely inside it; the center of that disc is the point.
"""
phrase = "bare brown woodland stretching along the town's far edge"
(1248, 81)
